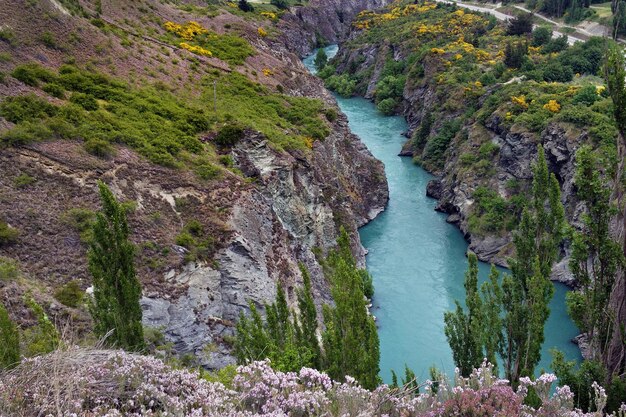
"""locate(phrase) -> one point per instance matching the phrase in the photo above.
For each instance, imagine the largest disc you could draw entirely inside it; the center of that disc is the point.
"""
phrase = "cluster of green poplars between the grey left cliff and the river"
(350, 341)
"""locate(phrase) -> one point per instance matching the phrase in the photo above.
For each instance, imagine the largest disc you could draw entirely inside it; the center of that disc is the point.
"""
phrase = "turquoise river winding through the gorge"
(417, 260)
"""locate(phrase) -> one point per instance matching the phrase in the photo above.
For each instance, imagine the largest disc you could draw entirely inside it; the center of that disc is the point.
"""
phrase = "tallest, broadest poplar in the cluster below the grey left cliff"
(350, 342)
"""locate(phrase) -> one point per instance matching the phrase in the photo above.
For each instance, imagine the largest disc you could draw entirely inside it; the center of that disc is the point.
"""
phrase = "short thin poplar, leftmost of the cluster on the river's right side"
(464, 330)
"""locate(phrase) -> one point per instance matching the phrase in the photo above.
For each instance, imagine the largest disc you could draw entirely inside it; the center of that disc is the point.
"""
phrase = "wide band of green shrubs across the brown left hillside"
(155, 122)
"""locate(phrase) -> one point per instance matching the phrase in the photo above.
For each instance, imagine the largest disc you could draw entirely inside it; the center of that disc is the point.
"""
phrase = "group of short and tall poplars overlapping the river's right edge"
(507, 320)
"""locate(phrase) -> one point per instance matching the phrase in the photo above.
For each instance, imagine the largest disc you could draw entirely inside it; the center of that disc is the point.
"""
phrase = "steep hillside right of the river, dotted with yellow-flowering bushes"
(479, 99)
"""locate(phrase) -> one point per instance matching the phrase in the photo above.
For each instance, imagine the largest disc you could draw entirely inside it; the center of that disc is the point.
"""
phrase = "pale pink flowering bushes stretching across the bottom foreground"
(114, 383)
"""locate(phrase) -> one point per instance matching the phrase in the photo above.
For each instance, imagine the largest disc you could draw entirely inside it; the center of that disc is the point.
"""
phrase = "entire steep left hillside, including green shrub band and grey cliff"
(231, 176)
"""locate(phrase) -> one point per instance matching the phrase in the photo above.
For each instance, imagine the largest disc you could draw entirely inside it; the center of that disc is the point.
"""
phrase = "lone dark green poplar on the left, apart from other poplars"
(115, 307)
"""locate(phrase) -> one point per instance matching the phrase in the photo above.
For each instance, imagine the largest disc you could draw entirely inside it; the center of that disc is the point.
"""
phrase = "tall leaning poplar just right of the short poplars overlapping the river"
(527, 292)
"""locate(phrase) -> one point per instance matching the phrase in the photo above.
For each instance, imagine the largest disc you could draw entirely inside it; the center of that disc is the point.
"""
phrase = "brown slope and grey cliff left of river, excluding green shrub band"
(268, 210)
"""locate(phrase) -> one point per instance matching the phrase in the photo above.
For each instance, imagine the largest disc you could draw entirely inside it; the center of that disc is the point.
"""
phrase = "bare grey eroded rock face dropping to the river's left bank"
(298, 205)
